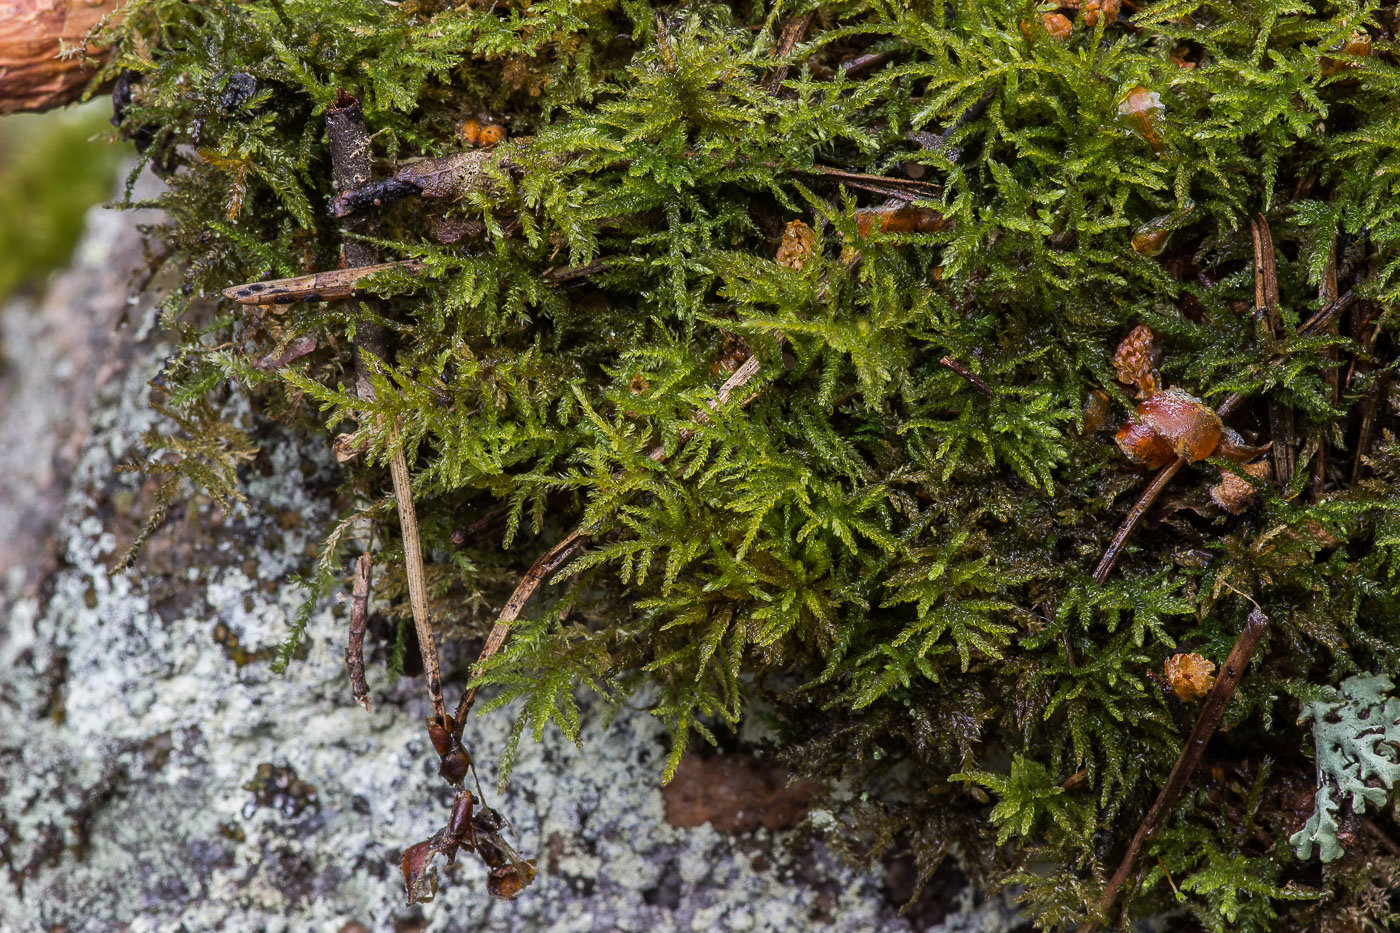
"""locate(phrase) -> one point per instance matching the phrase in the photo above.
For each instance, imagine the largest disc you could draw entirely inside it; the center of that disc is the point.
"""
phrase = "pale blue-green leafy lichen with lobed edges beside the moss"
(1359, 745)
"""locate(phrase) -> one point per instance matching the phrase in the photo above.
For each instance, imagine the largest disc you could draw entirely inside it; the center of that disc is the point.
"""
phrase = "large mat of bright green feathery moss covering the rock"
(897, 560)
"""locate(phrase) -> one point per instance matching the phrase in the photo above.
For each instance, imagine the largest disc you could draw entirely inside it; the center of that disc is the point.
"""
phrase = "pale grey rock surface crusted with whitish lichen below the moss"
(128, 733)
